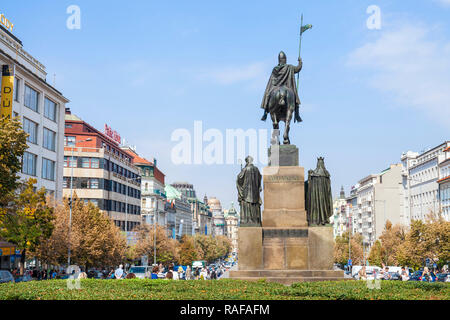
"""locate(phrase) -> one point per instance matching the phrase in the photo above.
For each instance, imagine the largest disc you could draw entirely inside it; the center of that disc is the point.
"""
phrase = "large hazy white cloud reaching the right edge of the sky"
(413, 65)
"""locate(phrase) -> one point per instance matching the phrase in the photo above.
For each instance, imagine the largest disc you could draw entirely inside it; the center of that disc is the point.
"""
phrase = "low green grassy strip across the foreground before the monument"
(137, 289)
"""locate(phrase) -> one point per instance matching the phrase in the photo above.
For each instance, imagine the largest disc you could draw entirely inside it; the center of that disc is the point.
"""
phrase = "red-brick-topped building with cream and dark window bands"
(96, 169)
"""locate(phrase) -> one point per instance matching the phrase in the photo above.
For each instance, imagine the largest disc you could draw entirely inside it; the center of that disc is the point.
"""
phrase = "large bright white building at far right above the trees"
(420, 181)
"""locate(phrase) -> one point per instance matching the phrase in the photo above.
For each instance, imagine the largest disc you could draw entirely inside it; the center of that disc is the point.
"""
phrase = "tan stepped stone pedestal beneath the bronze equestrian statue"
(285, 249)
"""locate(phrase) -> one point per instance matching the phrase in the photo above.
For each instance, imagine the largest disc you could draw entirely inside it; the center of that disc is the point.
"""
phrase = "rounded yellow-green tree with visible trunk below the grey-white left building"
(28, 221)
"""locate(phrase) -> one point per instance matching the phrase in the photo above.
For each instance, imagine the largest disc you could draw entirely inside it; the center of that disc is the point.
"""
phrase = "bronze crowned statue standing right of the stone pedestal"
(319, 203)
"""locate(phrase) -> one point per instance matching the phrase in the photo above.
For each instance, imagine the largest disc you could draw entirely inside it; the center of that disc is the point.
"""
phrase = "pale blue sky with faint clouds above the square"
(149, 68)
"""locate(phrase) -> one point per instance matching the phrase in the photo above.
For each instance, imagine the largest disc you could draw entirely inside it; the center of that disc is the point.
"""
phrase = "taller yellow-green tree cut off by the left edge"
(12, 146)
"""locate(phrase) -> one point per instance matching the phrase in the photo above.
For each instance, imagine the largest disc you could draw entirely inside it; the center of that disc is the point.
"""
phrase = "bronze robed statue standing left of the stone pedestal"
(249, 186)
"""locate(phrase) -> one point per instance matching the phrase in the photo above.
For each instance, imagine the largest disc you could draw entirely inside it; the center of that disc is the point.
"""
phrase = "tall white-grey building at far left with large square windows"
(41, 109)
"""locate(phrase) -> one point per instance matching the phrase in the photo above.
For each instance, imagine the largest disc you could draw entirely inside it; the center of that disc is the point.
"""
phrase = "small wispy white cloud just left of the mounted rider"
(235, 74)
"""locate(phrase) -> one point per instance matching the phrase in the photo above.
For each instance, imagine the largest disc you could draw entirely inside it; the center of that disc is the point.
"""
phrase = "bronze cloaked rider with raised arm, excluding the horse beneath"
(282, 75)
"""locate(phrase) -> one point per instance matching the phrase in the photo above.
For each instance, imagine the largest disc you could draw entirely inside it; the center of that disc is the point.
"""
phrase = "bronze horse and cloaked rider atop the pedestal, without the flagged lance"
(281, 97)
